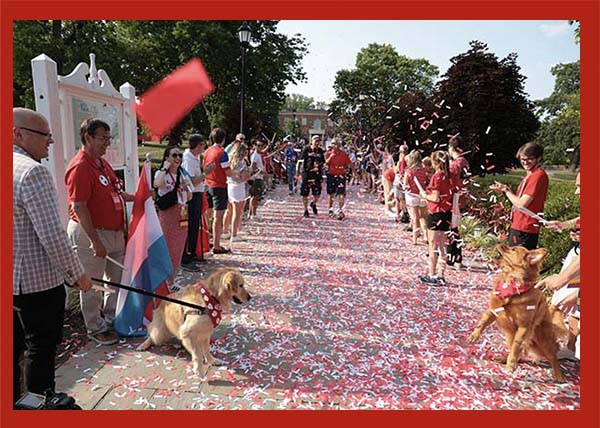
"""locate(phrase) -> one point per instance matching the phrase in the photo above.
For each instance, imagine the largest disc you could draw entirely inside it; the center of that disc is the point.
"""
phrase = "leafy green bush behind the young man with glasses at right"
(493, 212)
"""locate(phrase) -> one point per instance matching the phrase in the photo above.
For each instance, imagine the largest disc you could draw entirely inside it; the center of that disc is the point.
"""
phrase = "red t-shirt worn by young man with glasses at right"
(535, 185)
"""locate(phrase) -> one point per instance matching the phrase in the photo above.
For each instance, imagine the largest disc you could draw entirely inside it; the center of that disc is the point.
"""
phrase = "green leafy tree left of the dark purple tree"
(365, 94)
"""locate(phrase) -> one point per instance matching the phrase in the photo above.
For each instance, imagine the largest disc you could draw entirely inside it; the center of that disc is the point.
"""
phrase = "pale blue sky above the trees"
(333, 46)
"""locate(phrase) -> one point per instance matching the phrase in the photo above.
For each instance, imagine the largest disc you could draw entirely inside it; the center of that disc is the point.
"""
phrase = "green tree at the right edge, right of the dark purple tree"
(559, 132)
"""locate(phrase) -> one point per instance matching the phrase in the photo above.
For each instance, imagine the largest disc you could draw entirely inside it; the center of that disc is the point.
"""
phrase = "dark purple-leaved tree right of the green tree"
(486, 103)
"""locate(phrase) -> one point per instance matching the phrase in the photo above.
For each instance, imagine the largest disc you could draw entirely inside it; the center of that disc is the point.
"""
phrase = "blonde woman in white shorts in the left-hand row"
(236, 187)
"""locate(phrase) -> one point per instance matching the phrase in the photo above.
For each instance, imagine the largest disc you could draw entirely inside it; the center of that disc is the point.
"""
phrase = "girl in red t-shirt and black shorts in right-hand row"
(439, 201)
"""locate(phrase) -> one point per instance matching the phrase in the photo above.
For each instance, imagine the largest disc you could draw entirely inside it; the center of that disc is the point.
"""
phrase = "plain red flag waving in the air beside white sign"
(166, 103)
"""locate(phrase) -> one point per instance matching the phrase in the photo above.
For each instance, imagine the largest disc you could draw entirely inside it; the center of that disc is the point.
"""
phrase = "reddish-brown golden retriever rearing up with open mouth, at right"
(521, 311)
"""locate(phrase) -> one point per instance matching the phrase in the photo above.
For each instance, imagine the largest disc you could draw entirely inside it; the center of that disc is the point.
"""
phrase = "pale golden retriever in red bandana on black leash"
(192, 326)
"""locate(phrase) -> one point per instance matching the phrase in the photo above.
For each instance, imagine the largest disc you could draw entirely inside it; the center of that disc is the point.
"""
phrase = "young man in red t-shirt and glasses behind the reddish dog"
(531, 194)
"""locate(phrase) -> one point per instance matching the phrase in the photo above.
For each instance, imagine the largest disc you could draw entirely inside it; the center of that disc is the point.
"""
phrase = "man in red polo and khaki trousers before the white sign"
(97, 224)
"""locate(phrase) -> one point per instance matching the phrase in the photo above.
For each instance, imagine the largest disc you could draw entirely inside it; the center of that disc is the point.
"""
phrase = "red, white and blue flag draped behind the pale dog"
(147, 263)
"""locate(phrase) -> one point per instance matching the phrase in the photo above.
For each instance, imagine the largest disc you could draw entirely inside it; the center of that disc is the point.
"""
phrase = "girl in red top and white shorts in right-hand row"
(417, 206)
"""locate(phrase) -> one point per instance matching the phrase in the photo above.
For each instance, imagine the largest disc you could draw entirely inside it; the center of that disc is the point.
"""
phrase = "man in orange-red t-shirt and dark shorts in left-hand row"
(216, 181)
